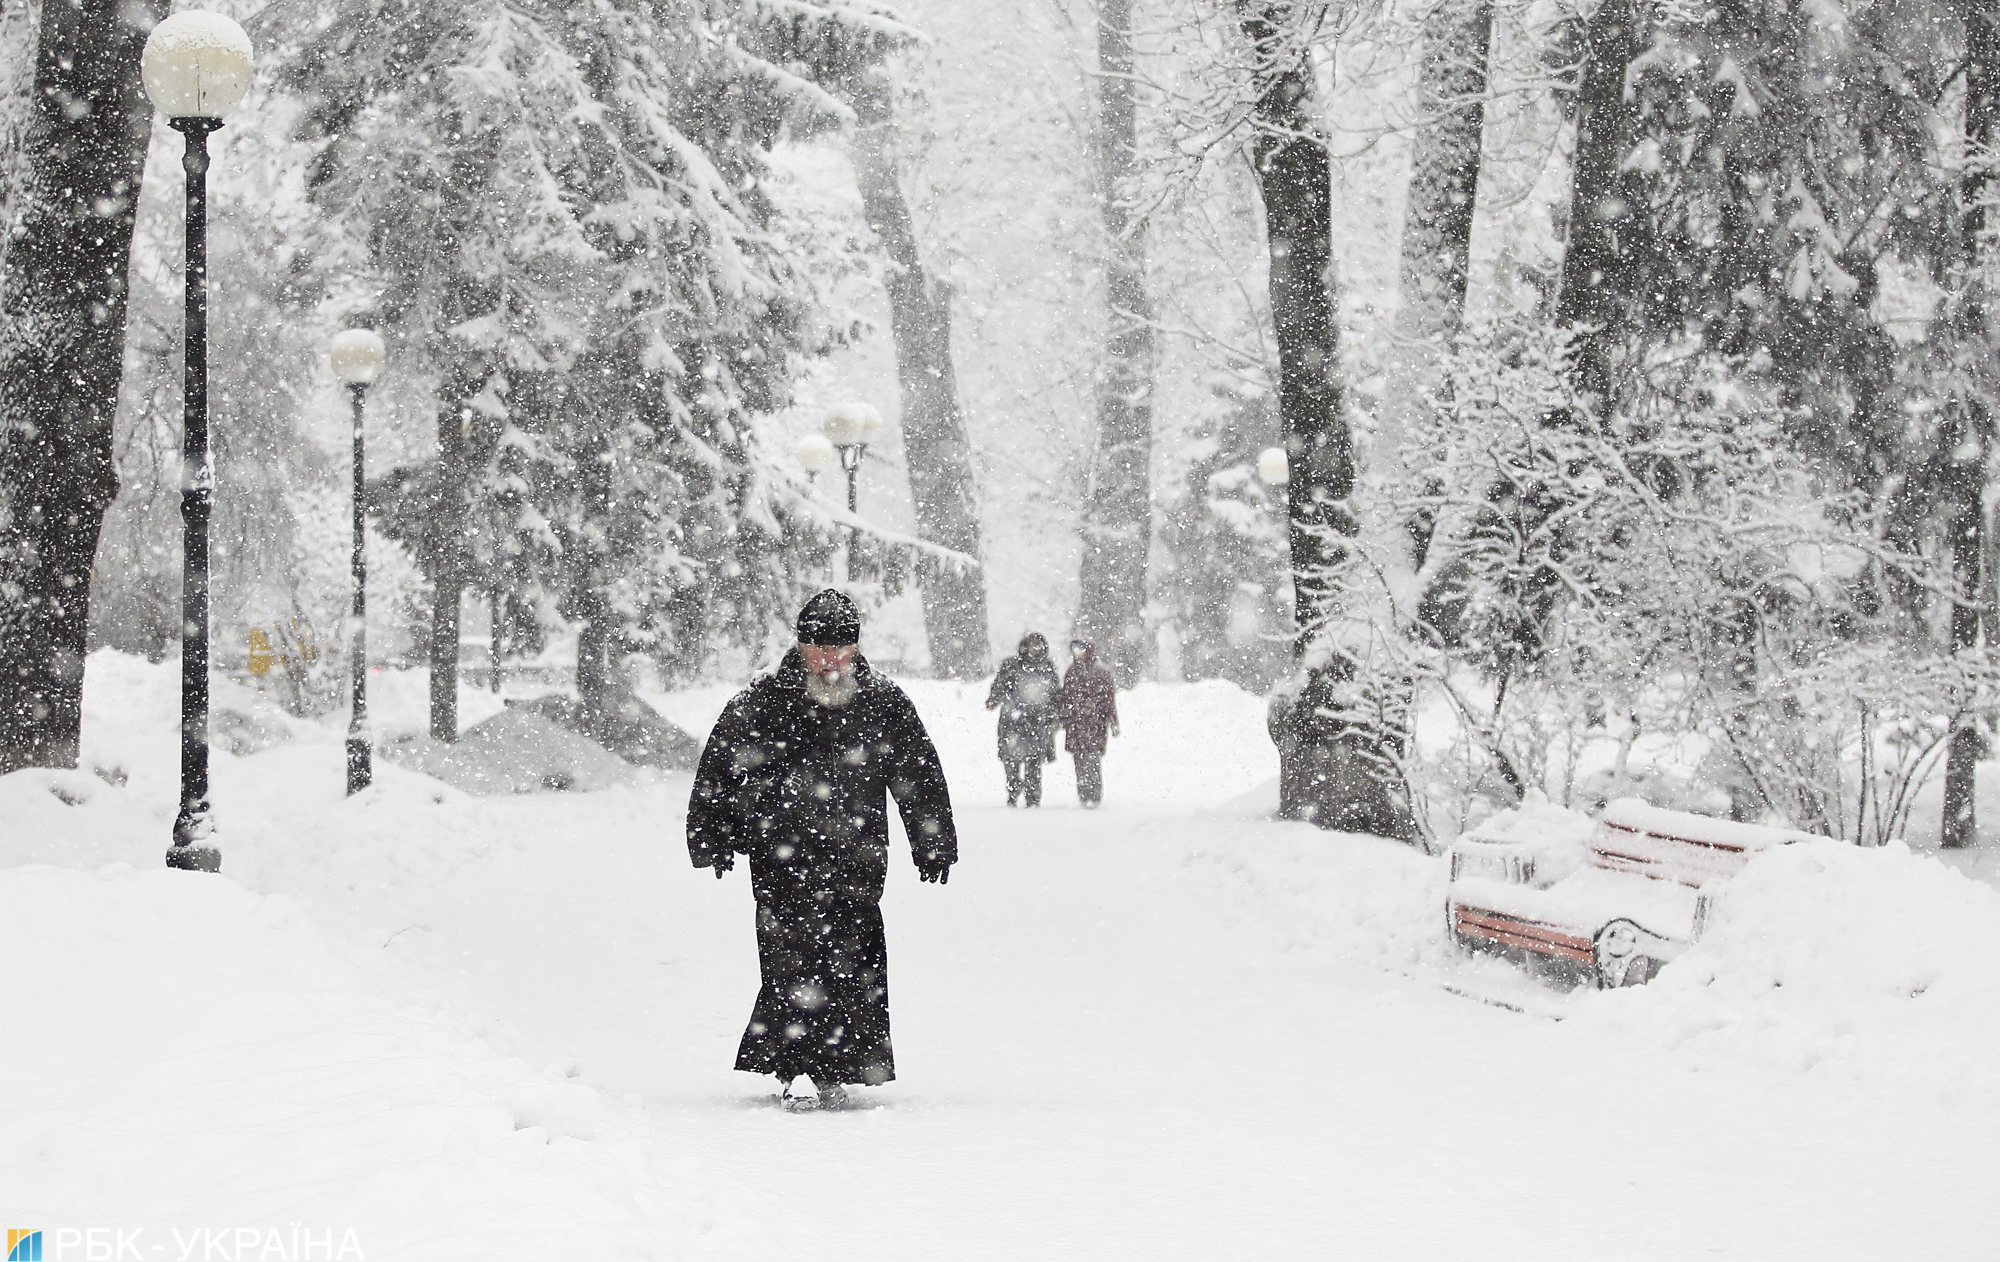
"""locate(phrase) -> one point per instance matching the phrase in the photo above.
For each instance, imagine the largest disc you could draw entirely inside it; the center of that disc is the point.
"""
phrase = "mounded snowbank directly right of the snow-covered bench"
(1833, 961)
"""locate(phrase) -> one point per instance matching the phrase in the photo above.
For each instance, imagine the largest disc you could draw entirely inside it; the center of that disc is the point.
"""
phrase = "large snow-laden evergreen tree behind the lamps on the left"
(559, 213)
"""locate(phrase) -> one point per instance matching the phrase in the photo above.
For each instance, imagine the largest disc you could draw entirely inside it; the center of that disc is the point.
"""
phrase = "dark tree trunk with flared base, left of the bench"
(1329, 765)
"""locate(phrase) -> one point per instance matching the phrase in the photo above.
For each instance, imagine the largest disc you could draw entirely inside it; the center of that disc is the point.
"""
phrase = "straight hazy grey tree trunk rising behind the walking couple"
(1119, 519)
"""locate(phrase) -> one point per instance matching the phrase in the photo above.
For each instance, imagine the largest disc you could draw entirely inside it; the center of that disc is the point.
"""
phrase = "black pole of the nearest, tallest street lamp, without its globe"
(195, 827)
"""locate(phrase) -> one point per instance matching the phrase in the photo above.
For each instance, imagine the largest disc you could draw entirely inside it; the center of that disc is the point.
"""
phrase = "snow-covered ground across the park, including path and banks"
(1171, 1029)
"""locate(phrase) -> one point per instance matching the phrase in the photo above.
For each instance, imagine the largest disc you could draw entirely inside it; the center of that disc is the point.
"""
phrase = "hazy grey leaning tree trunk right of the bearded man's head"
(935, 441)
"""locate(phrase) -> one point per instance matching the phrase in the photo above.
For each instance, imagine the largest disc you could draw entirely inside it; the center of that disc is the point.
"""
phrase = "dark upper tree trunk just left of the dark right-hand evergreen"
(1603, 199)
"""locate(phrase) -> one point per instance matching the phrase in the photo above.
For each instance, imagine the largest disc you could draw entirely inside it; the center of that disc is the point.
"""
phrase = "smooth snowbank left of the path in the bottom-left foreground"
(197, 1055)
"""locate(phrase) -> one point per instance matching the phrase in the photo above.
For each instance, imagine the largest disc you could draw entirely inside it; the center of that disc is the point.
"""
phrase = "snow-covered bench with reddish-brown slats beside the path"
(1601, 903)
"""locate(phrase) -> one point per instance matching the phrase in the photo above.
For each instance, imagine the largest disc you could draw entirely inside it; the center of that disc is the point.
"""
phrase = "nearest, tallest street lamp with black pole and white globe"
(197, 67)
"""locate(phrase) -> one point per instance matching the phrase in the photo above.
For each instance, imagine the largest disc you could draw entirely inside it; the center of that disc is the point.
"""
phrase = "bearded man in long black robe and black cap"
(797, 777)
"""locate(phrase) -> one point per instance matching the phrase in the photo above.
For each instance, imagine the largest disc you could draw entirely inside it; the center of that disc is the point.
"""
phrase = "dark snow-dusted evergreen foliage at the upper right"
(1755, 177)
